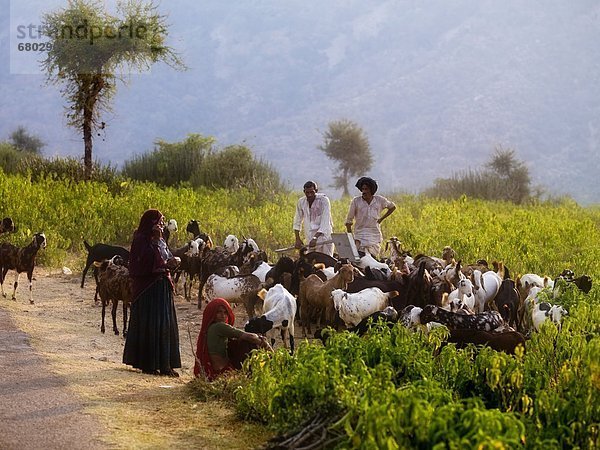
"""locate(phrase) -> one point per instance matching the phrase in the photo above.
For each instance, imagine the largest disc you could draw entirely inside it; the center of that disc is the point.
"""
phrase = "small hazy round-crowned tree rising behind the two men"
(346, 143)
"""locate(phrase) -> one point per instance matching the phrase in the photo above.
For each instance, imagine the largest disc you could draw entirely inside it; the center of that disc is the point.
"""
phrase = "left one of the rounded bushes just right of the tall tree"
(170, 163)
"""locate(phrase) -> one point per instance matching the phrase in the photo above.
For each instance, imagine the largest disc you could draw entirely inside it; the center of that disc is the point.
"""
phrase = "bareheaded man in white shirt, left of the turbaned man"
(314, 212)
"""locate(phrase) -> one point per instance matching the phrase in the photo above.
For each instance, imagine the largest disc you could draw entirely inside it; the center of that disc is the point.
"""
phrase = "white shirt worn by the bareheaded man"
(313, 219)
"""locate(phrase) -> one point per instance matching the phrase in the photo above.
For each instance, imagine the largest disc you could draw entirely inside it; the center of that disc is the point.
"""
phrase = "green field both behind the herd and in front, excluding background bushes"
(394, 388)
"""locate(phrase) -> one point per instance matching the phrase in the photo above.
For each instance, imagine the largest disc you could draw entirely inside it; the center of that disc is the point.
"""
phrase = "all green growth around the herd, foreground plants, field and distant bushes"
(393, 388)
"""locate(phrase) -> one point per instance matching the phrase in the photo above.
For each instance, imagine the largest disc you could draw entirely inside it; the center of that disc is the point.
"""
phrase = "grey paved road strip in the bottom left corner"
(38, 410)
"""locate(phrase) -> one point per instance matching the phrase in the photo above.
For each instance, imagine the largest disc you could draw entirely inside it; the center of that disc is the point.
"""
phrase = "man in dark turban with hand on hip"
(366, 210)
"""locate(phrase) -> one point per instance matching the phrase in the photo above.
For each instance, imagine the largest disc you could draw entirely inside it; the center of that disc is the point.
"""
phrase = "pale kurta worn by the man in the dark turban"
(366, 228)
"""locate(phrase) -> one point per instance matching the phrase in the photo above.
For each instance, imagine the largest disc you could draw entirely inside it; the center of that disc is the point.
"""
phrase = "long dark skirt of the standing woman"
(153, 338)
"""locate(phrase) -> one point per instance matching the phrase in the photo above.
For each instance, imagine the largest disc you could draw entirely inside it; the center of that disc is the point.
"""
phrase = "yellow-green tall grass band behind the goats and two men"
(541, 238)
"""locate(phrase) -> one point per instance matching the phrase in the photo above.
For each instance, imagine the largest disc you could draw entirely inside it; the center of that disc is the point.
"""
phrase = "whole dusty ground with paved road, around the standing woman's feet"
(64, 385)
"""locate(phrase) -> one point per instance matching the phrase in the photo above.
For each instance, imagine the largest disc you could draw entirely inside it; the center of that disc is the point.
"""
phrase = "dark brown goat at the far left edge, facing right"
(20, 260)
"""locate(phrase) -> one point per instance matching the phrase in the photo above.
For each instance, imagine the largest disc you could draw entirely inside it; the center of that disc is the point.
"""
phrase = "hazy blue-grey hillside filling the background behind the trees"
(436, 85)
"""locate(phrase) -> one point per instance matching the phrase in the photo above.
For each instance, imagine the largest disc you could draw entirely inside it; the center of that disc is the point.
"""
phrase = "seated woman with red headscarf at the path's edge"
(221, 347)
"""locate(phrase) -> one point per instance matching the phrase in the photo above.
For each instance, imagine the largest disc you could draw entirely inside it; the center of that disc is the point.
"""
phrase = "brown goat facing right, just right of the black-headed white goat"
(314, 297)
